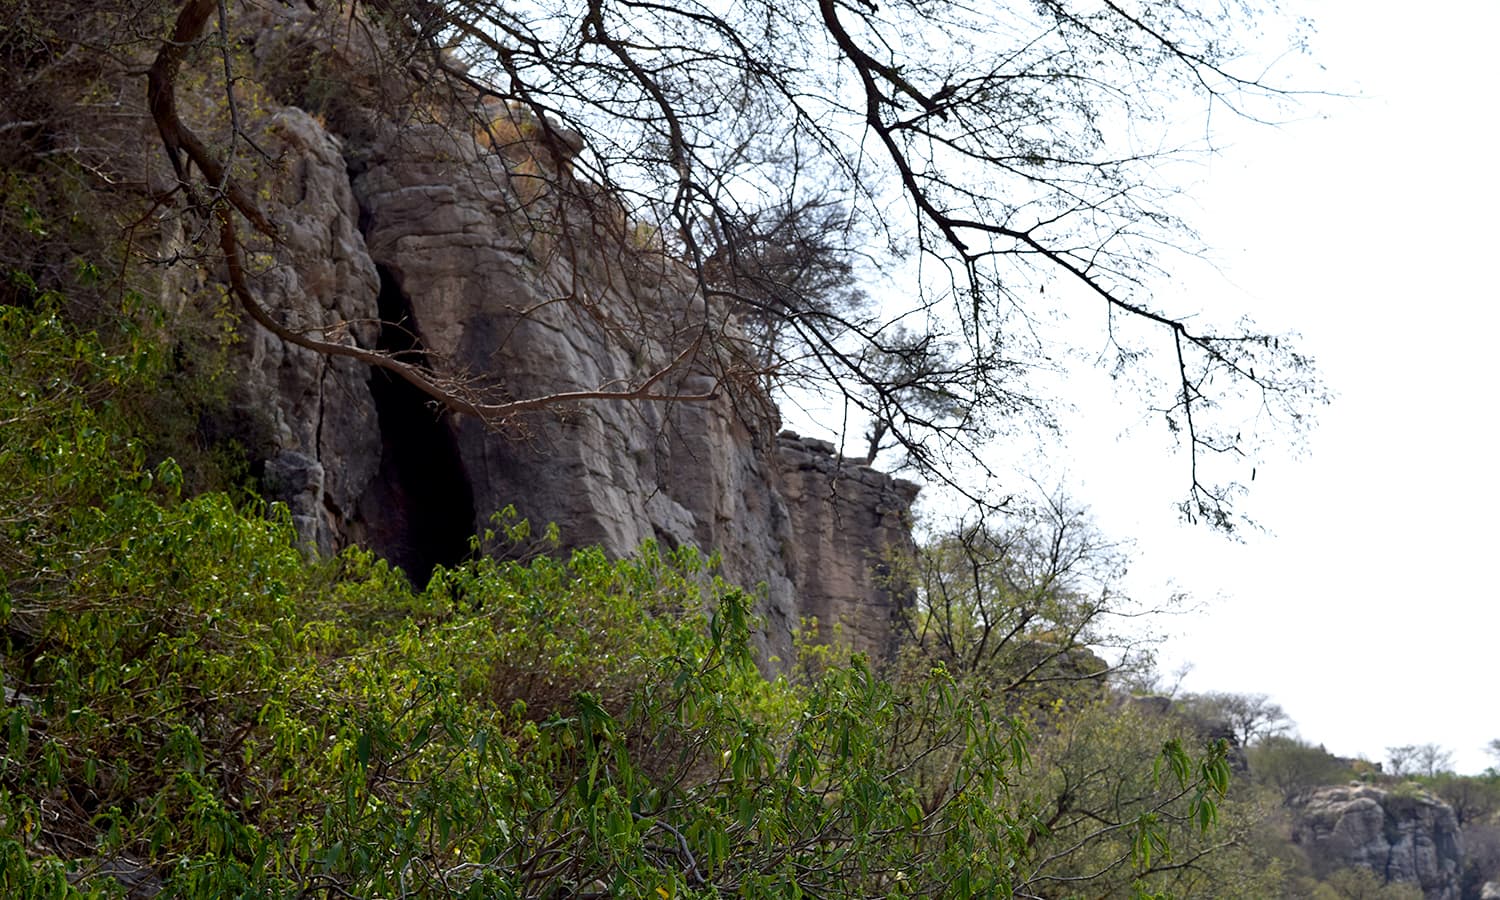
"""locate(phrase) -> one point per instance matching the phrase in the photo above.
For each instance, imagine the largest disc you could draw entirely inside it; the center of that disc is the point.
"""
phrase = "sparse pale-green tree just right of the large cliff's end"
(1013, 617)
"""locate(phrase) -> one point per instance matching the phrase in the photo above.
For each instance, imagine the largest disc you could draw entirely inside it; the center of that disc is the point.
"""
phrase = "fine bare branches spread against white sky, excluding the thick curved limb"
(1012, 149)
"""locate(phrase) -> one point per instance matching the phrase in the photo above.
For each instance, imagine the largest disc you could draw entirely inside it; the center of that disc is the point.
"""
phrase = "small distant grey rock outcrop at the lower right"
(1400, 836)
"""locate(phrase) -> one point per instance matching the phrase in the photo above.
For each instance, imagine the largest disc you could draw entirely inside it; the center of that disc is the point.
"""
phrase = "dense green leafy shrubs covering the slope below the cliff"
(193, 704)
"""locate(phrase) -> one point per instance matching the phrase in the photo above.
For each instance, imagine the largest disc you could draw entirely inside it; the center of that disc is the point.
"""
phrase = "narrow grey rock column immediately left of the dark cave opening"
(313, 416)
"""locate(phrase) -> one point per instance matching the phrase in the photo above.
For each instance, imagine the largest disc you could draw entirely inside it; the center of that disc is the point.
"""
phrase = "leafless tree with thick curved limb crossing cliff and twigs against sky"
(896, 197)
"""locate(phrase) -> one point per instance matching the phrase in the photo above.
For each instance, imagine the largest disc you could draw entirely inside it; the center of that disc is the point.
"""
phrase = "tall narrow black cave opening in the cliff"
(422, 500)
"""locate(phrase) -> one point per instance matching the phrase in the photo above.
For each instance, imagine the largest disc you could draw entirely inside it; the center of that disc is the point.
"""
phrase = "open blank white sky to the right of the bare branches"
(1370, 613)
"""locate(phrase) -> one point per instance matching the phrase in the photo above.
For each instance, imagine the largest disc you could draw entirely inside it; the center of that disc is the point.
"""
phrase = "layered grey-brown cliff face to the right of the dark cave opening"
(490, 296)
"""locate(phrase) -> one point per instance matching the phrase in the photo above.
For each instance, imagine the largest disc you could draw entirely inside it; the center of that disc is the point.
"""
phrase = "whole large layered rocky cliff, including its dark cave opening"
(434, 239)
